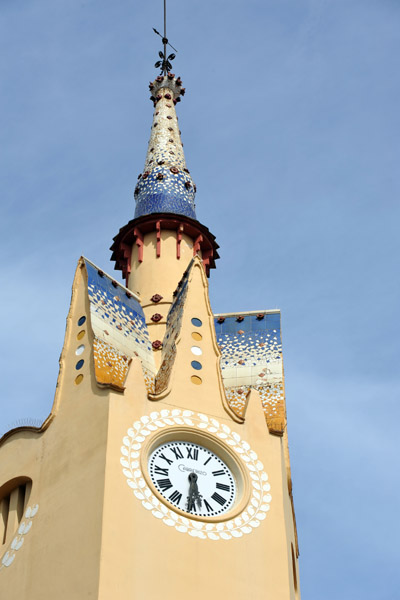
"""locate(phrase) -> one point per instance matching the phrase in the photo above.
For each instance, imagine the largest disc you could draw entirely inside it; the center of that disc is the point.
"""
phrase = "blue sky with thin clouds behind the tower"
(291, 129)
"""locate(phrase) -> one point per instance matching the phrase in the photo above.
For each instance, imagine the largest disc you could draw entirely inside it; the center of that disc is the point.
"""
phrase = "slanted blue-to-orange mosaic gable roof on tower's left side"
(120, 330)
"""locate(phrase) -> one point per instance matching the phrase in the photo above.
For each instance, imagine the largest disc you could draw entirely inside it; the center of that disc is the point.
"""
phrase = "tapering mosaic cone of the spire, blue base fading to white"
(165, 186)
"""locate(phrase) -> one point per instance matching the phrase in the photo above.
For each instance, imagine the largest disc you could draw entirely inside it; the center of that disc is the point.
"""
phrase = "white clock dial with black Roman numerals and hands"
(192, 478)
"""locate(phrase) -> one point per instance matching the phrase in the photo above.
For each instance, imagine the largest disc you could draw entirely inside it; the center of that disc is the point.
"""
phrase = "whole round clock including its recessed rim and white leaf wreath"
(210, 495)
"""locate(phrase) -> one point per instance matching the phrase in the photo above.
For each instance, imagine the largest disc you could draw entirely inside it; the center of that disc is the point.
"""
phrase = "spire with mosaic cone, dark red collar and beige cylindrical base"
(165, 218)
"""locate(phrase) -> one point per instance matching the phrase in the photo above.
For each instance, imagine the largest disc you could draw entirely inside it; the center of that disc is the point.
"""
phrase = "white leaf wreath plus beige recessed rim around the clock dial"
(143, 437)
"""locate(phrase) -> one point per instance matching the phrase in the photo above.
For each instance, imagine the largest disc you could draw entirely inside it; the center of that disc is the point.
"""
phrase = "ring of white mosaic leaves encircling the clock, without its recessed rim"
(249, 519)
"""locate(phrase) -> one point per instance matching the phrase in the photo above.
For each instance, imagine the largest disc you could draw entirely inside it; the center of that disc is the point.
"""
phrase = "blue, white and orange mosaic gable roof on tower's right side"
(251, 350)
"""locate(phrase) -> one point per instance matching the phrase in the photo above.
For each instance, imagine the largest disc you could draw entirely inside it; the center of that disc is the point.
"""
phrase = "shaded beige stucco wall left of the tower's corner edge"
(66, 462)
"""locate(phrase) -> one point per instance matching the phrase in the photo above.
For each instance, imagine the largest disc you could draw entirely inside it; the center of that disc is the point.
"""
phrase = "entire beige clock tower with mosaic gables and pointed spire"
(163, 469)
